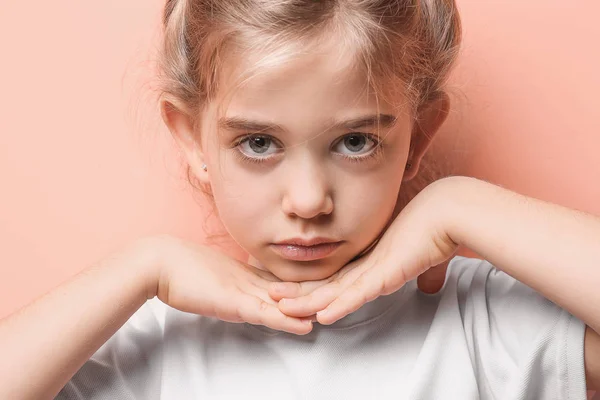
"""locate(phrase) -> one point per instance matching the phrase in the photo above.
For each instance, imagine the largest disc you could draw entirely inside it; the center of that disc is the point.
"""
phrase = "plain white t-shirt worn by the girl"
(483, 336)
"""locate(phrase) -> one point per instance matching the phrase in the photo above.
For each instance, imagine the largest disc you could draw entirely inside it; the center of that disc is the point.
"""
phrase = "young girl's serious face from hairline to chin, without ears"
(293, 160)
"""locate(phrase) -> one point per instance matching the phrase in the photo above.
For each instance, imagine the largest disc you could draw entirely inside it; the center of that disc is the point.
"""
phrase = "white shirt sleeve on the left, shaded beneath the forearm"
(129, 365)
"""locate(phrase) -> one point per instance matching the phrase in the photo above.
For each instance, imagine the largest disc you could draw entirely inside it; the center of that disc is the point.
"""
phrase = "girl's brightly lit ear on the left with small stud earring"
(177, 119)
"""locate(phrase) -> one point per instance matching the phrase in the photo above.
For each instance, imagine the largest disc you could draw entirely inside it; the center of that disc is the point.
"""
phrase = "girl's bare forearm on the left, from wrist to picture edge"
(45, 343)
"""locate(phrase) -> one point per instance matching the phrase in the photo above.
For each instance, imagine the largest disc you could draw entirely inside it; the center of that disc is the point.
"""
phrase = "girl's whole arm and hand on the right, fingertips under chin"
(460, 211)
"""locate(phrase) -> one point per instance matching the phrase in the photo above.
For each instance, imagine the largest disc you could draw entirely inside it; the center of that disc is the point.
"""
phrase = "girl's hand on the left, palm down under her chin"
(197, 279)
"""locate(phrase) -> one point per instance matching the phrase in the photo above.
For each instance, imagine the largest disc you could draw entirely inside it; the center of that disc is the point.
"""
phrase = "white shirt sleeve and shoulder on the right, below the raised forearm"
(522, 345)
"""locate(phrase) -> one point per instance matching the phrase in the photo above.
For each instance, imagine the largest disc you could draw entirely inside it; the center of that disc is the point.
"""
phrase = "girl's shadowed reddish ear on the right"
(429, 119)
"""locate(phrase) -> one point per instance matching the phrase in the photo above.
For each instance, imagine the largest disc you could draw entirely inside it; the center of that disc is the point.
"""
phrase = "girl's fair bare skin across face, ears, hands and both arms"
(307, 188)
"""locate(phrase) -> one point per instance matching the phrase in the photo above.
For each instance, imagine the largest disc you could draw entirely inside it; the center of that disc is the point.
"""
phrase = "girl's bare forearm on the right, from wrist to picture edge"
(552, 249)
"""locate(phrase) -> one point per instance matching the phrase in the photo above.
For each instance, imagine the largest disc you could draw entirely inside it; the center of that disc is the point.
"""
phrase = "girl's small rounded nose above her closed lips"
(307, 194)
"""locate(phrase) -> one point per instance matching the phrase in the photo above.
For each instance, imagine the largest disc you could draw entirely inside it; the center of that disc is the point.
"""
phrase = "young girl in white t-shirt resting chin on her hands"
(302, 119)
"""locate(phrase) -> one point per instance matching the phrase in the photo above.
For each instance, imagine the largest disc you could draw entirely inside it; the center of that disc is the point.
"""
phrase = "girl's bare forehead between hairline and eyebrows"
(301, 83)
